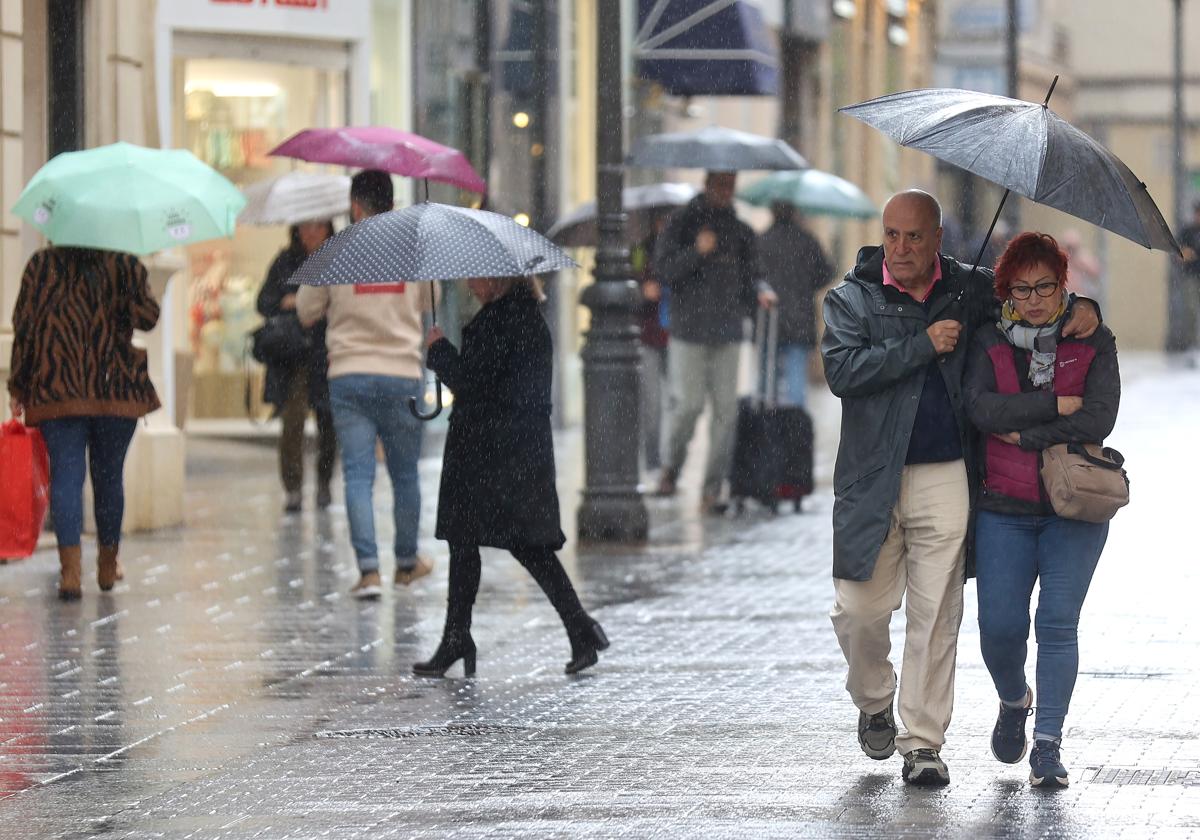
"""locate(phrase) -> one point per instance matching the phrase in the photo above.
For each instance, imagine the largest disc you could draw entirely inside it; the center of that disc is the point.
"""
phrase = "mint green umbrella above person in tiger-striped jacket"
(123, 197)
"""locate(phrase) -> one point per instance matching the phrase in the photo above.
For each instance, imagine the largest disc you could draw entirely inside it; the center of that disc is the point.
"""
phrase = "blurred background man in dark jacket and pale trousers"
(709, 260)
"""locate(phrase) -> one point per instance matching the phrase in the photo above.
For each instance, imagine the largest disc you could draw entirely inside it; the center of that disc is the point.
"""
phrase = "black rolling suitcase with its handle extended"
(773, 448)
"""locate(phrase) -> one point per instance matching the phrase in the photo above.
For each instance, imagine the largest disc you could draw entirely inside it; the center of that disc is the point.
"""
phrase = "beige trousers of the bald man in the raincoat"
(921, 565)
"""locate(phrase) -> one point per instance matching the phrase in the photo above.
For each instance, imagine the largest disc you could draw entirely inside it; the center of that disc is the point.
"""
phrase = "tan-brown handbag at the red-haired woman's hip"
(1085, 482)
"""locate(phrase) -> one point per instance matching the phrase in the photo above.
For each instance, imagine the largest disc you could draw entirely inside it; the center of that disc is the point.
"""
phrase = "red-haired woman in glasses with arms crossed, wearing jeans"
(1029, 388)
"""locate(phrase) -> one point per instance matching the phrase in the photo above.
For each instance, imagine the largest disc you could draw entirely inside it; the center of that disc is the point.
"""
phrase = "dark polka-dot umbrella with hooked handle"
(434, 243)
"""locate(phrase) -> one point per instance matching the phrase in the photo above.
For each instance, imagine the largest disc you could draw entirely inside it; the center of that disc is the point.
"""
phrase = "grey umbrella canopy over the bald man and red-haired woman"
(1025, 148)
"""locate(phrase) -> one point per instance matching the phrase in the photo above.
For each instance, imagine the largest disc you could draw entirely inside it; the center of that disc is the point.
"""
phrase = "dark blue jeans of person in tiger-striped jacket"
(103, 443)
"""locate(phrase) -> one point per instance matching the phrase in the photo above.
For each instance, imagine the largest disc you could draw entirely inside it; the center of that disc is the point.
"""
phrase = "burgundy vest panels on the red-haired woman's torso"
(1012, 471)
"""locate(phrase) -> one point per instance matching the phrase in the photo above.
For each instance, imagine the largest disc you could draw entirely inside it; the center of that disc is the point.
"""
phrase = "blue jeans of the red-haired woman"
(1012, 554)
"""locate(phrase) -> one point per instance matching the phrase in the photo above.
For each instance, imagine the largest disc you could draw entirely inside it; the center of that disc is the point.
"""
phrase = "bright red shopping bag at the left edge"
(25, 489)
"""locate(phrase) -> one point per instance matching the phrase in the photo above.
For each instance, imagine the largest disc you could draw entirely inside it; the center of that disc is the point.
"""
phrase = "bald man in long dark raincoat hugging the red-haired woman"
(897, 333)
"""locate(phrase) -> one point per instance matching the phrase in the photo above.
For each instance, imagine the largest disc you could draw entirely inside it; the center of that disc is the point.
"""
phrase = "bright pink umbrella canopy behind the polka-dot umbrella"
(381, 148)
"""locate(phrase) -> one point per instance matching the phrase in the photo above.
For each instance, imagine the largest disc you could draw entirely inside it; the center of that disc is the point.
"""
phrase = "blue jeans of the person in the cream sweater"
(369, 407)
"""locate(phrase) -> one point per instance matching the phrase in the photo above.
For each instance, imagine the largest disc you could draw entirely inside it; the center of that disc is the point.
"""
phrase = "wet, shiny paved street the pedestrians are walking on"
(230, 688)
